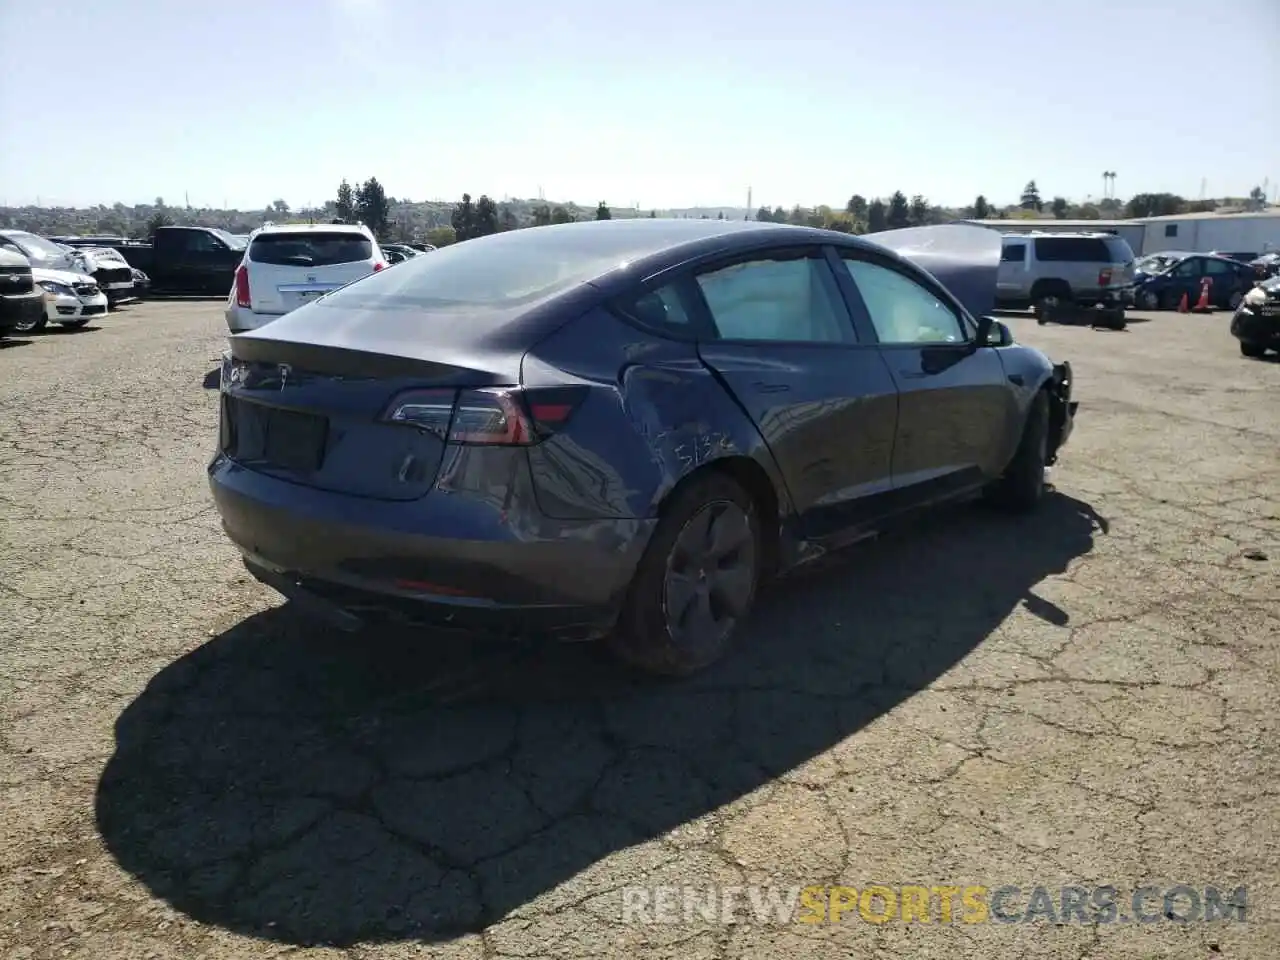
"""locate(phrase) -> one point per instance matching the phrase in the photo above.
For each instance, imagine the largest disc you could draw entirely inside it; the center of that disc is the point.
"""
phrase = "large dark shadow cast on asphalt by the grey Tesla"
(304, 787)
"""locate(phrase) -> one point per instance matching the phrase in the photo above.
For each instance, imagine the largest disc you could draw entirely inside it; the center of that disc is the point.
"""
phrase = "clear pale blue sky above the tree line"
(668, 103)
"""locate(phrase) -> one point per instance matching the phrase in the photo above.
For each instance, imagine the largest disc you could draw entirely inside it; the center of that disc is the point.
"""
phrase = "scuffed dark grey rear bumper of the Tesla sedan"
(431, 563)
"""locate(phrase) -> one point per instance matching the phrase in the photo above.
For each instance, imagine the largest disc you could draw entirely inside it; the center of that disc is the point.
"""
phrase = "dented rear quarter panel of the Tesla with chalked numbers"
(655, 414)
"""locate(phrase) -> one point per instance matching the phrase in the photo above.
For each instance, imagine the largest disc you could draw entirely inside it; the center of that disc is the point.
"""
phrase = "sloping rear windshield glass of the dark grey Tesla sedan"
(501, 271)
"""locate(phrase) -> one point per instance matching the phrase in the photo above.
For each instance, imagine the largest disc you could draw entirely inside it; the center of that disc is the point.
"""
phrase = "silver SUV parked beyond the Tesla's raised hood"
(1049, 271)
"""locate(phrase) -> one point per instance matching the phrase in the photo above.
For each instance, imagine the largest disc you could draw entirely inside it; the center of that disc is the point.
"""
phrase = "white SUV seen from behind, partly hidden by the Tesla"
(290, 266)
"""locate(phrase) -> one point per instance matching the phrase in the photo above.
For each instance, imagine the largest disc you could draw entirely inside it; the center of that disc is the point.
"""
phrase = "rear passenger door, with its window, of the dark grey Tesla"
(781, 340)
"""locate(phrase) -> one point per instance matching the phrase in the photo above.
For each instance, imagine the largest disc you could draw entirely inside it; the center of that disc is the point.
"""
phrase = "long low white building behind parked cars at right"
(1192, 234)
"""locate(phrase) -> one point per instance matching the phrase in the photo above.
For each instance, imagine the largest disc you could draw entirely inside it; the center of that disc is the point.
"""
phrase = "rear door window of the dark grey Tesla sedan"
(790, 299)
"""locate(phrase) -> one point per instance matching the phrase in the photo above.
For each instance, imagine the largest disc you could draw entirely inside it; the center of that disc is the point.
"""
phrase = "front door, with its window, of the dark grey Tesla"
(956, 404)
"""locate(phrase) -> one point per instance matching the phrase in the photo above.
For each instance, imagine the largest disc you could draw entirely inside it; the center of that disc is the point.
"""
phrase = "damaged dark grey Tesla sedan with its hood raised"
(620, 428)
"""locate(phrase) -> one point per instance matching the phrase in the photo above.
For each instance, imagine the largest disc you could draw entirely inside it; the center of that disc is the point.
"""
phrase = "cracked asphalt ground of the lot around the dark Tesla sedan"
(1086, 697)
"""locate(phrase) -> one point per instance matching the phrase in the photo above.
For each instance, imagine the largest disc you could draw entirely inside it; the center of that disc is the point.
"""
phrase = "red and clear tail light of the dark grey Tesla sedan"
(506, 417)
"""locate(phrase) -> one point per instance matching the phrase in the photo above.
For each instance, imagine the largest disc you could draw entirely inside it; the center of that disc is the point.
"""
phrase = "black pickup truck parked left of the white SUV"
(193, 260)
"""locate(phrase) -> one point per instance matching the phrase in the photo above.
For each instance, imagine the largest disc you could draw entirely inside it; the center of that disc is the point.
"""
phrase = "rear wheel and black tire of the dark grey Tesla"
(657, 639)
